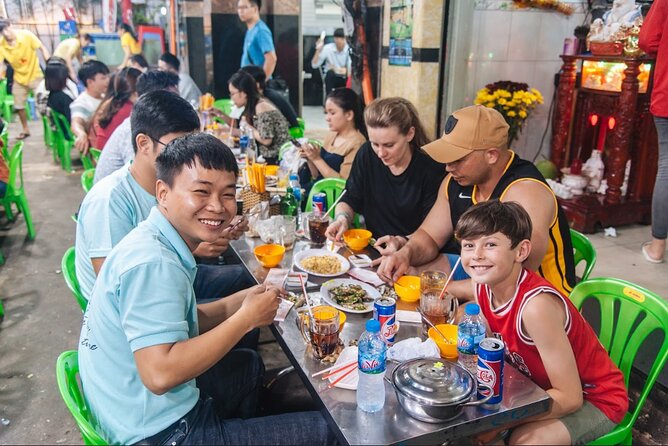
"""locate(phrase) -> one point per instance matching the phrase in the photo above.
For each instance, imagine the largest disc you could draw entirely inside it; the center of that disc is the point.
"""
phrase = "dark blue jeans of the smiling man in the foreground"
(228, 399)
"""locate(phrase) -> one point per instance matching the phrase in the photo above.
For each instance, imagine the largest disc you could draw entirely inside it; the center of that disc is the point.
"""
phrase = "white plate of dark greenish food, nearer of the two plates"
(349, 295)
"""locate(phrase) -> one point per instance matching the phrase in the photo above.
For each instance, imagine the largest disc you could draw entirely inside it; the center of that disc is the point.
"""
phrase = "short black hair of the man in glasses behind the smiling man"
(161, 112)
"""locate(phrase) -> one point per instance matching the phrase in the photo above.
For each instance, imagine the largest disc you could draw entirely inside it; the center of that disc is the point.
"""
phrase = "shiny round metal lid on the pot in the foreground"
(433, 381)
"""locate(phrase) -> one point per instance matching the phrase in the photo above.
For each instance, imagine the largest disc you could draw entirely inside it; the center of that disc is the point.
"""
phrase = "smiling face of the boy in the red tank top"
(489, 259)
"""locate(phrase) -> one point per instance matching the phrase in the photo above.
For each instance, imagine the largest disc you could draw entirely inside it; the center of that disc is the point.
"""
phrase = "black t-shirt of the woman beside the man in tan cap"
(392, 204)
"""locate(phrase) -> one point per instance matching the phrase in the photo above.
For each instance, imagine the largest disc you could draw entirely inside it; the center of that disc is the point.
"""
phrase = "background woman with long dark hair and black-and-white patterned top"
(269, 126)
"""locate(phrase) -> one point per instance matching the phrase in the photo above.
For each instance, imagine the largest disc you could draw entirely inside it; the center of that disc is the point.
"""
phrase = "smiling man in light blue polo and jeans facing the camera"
(147, 350)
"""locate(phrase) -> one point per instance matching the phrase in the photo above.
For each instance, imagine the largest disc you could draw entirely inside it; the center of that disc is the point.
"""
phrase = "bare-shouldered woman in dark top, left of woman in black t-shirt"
(343, 113)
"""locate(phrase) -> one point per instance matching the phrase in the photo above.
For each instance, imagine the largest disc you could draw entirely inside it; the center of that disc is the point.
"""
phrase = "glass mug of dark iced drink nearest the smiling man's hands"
(323, 333)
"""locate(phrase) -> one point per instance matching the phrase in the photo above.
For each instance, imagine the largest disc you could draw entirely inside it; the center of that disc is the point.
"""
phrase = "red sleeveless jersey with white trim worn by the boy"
(602, 382)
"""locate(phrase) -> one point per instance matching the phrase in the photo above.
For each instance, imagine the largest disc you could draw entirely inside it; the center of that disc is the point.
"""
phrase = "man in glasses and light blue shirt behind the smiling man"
(118, 203)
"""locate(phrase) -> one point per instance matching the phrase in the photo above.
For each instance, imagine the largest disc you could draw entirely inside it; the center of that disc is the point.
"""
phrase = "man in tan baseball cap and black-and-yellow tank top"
(474, 147)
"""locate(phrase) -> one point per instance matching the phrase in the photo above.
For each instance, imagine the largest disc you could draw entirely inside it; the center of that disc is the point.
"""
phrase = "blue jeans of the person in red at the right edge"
(660, 194)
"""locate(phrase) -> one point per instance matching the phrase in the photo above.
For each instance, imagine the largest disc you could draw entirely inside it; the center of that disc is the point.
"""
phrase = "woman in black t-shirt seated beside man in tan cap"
(393, 183)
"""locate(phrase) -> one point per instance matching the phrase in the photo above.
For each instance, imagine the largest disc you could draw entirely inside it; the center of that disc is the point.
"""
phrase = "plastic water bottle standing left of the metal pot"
(371, 368)
